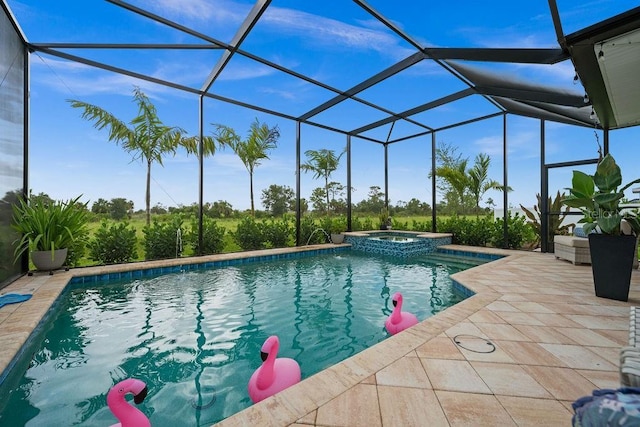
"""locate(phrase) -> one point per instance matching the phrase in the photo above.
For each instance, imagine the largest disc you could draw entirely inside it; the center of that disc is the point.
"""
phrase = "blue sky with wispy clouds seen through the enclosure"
(334, 42)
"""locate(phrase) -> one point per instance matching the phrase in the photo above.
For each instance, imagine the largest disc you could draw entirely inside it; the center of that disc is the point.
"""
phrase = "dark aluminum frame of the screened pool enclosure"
(506, 95)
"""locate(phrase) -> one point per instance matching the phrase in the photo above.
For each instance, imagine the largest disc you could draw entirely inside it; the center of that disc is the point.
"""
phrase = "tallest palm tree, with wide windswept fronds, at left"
(146, 137)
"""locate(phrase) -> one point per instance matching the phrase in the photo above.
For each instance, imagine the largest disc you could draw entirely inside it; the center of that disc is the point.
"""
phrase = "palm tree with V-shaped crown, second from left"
(251, 151)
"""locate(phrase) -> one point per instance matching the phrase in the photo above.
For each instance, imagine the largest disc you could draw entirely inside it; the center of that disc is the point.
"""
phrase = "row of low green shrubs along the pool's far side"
(116, 243)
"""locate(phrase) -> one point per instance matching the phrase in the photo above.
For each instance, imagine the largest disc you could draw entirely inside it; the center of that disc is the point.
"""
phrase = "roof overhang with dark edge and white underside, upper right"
(606, 57)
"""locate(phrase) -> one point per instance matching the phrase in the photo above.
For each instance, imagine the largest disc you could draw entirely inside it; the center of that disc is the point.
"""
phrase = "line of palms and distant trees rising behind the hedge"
(148, 139)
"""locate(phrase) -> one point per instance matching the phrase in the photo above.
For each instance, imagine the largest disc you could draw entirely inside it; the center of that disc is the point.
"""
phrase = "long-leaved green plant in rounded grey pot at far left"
(48, 229)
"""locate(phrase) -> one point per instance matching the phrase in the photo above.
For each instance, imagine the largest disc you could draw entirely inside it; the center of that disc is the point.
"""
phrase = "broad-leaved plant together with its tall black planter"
(612, 232)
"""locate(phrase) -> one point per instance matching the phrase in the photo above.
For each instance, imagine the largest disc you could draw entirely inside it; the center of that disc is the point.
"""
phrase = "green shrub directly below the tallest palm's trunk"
(161, 239)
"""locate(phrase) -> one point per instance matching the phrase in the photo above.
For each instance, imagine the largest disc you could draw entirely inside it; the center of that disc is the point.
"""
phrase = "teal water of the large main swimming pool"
(195, 337)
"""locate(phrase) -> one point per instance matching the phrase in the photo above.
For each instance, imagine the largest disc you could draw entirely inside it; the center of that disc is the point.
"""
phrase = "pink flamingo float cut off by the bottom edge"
(123, 411)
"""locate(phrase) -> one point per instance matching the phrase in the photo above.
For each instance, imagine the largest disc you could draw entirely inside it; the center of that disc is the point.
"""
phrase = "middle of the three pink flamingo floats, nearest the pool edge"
(275, 374)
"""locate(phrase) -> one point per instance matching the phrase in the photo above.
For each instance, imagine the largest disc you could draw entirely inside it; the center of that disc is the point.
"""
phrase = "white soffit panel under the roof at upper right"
(620, 67)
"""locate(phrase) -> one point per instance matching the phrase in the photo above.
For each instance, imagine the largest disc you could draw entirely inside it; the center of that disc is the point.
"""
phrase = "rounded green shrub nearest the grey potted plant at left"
(115, 244)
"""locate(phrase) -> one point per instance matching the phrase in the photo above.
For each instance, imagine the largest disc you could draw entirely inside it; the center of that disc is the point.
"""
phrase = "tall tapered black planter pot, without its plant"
(611, 263)
